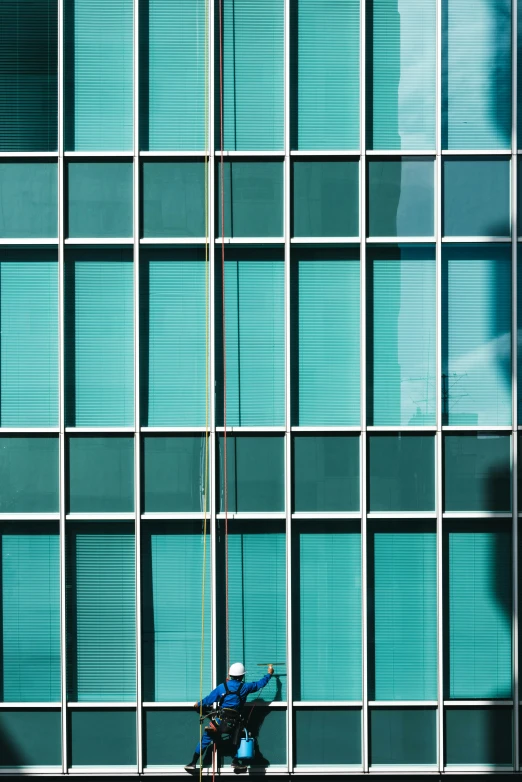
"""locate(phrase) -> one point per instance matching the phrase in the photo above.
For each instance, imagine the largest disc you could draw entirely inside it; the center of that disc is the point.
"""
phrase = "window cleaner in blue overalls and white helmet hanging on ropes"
(230, 697)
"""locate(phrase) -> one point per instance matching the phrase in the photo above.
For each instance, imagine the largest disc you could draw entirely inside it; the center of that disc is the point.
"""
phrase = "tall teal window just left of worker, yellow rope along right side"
(172, 601)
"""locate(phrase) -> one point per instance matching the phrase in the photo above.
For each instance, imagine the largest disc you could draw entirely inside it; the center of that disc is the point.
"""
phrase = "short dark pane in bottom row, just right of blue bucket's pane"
(325, 736)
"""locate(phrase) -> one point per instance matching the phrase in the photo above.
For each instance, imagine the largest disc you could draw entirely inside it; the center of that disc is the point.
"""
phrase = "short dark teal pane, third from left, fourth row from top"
(173, 475)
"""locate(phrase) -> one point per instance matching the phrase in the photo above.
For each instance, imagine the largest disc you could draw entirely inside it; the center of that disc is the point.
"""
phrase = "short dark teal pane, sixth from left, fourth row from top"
(401, 472)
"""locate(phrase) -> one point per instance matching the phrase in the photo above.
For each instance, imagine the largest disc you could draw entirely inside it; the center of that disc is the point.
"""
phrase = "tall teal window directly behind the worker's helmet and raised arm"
(257, 616)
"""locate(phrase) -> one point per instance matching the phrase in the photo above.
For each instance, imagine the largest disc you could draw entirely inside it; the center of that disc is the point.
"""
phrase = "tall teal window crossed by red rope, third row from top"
(254, 338)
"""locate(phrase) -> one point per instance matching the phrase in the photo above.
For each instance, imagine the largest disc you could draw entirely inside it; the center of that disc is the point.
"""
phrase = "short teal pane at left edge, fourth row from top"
(29, 474)
